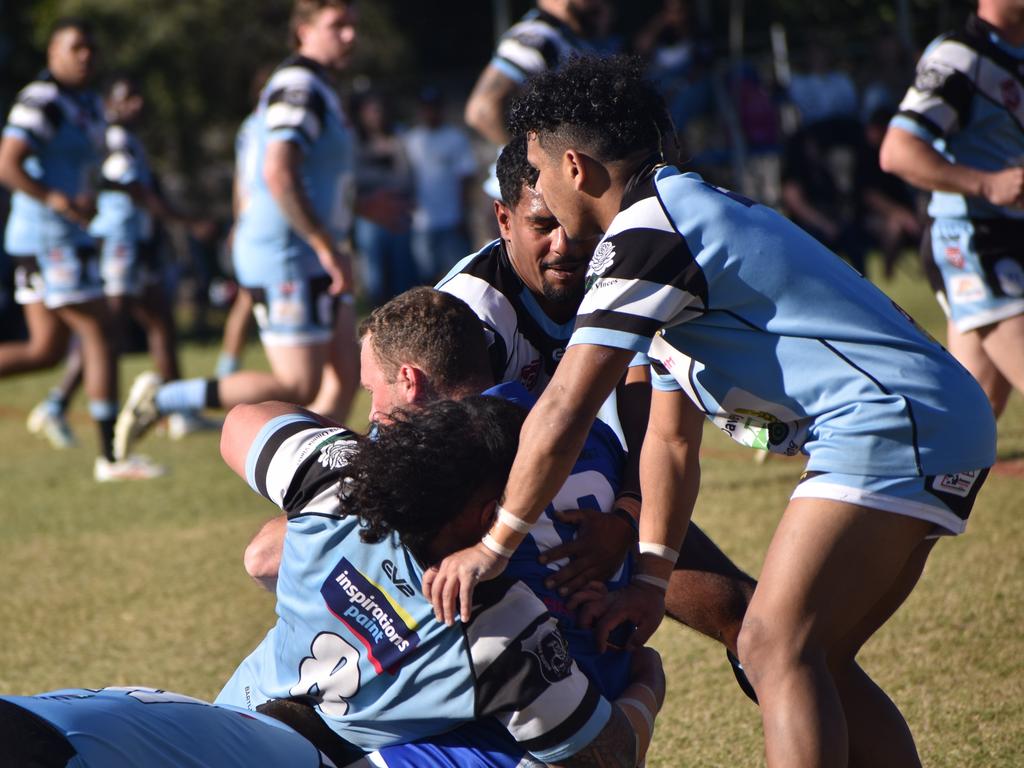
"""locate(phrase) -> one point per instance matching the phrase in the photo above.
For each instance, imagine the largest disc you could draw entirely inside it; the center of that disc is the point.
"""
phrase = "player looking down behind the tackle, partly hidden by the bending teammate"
(527, 288)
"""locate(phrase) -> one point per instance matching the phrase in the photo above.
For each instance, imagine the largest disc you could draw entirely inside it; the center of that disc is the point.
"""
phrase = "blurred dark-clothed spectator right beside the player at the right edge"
(889, 206)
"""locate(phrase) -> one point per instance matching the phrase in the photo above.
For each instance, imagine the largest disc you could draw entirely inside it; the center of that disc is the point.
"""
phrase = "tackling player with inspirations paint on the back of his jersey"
(357, 641)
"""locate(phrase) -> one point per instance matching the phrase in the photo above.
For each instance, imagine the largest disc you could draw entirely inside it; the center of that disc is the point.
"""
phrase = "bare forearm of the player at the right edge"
(919, 164)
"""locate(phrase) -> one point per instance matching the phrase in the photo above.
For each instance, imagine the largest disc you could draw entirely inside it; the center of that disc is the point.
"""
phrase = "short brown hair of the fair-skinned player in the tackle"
(436, 331)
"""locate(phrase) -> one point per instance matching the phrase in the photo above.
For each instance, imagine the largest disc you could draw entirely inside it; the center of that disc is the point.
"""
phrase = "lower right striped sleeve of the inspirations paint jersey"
(526, 676)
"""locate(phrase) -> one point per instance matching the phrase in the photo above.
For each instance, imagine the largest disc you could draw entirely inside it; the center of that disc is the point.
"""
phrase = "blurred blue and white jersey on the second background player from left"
(118, 217)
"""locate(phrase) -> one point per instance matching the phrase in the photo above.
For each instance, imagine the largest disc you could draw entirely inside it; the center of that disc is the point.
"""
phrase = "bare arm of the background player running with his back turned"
(284, 180)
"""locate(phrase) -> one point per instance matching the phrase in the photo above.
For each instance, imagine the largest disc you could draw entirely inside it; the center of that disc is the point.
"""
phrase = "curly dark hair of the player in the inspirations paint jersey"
(426, 465)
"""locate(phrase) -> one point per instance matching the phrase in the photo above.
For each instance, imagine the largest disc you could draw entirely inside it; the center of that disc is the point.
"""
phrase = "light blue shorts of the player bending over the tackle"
(945, 501)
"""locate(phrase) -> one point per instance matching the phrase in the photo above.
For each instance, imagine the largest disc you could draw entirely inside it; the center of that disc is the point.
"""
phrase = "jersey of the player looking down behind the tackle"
(526, 345)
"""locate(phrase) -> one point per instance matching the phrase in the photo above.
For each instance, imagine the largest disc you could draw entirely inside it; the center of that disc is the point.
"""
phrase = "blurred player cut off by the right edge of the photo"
(959, 135)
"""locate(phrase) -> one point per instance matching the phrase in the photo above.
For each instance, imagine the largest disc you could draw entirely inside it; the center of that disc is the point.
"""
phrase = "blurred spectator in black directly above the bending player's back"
(819, 186)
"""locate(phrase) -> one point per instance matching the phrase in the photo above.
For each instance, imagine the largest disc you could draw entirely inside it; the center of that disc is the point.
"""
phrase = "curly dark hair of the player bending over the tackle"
(604, 106)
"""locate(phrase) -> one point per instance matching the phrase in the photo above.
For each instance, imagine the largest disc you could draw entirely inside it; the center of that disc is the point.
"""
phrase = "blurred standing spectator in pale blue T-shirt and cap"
(444, 167)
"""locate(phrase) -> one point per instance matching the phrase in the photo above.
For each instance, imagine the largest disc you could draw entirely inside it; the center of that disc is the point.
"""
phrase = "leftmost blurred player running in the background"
(51, 152)
